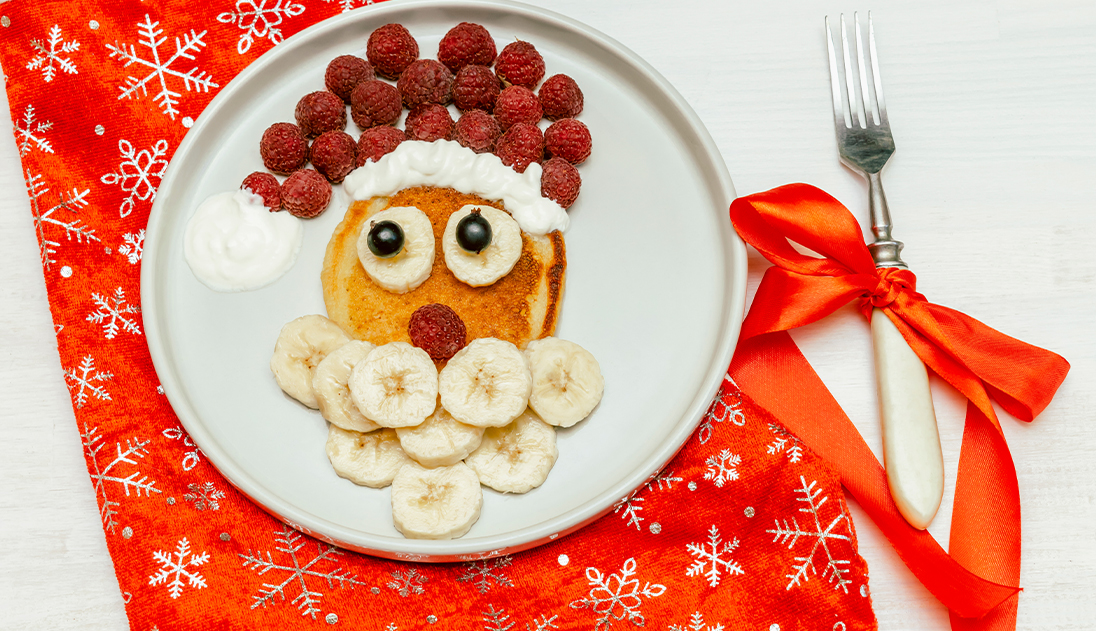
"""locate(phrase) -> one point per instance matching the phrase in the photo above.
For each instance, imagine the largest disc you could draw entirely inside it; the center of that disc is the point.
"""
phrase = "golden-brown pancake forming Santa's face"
(520, 307)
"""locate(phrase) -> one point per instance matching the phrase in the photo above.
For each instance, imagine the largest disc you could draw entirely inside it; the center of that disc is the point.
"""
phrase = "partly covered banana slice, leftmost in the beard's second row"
(369, 460)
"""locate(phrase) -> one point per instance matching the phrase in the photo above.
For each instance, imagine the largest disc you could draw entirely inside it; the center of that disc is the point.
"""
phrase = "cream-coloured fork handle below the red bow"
(911, 440)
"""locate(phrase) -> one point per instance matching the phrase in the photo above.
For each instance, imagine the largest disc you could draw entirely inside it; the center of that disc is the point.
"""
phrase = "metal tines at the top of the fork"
(857, 104)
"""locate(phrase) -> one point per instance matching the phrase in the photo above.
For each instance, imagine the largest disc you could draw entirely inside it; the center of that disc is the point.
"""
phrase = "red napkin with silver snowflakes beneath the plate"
(744, 530)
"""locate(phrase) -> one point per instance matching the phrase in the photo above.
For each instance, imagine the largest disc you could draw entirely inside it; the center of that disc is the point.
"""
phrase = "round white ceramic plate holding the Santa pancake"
(655, 290)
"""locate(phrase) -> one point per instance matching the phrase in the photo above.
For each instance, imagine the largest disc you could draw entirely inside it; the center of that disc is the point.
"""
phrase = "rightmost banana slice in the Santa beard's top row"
(567, 381)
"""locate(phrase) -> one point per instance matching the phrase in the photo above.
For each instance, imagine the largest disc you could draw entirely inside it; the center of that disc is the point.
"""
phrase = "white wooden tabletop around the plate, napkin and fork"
(994, 191)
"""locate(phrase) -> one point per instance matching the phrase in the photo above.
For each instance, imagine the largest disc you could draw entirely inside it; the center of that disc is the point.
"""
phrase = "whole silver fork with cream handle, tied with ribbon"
(911, 440)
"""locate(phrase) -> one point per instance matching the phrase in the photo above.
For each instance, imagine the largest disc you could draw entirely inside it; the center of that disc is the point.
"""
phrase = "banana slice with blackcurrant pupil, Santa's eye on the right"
(495, 259)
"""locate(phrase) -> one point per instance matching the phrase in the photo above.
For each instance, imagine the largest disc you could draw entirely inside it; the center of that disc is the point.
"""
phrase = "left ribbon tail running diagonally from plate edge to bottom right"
(773, 372)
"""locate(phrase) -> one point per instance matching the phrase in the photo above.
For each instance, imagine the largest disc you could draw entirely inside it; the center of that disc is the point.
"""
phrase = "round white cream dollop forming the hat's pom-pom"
(235, 244)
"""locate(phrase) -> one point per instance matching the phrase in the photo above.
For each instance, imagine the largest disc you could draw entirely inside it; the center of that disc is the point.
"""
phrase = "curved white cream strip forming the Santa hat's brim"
(447, 164)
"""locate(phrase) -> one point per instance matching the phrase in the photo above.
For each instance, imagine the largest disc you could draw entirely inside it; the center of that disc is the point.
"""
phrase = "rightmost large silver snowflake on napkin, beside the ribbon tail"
(821, 538)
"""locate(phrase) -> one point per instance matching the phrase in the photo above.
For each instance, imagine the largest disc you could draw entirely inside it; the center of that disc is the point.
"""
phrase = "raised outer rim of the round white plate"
(735, 265)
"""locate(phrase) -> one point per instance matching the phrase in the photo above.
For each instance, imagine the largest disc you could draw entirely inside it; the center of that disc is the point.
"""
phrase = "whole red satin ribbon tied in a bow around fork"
(979, 581)
